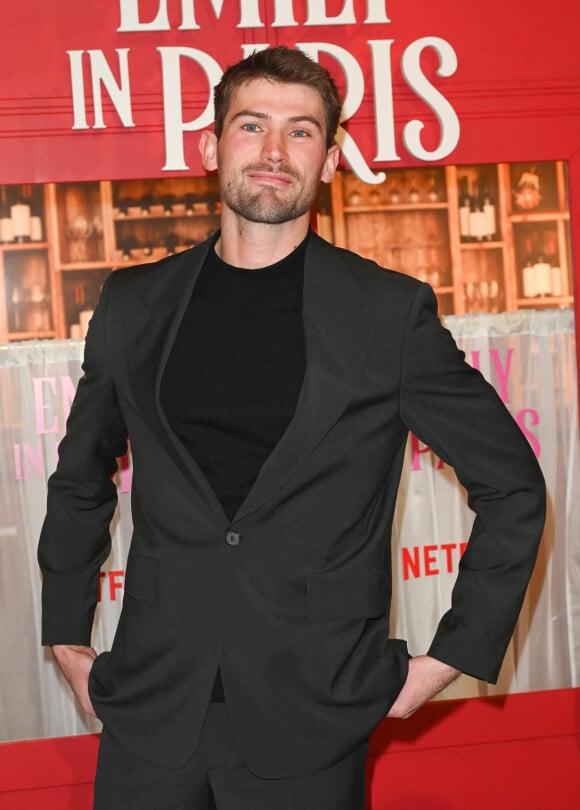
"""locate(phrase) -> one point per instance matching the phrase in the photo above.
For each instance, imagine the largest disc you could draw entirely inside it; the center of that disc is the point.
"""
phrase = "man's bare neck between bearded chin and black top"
(257, 244)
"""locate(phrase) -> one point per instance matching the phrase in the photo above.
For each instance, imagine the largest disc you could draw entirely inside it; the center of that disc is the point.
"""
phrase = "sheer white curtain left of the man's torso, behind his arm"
(37, 380)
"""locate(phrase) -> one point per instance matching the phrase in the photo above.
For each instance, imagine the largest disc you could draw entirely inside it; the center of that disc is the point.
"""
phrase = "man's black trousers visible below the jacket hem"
(216, 778)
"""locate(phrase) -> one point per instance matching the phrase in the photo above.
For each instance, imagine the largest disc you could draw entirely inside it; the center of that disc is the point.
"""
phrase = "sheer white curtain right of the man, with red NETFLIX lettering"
(530, 358)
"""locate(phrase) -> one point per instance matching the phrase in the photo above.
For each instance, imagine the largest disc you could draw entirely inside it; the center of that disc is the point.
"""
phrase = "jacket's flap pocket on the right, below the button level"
(336, 597)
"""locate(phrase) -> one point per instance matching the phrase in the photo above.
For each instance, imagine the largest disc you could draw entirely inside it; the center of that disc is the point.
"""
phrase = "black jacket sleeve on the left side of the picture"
(75, 538)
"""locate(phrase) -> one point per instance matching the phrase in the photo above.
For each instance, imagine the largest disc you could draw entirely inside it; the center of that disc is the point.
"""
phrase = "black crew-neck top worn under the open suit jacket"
(235, 370)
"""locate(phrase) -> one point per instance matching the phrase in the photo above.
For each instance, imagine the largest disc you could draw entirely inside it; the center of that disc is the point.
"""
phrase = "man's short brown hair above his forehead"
(284, 65)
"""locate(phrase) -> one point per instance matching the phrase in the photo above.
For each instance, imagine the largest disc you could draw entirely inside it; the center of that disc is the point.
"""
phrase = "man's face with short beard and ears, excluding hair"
(272, 154)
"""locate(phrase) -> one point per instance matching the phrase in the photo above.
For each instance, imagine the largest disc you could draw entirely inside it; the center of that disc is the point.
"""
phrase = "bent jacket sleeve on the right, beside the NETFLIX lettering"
(450, 407)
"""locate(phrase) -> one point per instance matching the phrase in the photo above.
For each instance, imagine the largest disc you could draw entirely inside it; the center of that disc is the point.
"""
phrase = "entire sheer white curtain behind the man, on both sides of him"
(528, 356)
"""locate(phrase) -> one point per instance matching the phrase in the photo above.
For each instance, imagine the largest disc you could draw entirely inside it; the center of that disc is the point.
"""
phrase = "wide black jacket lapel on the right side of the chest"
(337, 342)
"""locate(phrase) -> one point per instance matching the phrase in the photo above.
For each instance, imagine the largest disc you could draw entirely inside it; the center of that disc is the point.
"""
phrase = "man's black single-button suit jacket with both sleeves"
(291, 598)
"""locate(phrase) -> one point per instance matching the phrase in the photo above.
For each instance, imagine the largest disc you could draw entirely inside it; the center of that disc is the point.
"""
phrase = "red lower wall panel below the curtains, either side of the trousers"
(516, 752)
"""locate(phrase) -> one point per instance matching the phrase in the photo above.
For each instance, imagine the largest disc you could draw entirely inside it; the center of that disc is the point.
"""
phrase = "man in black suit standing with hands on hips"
(268, 382)
